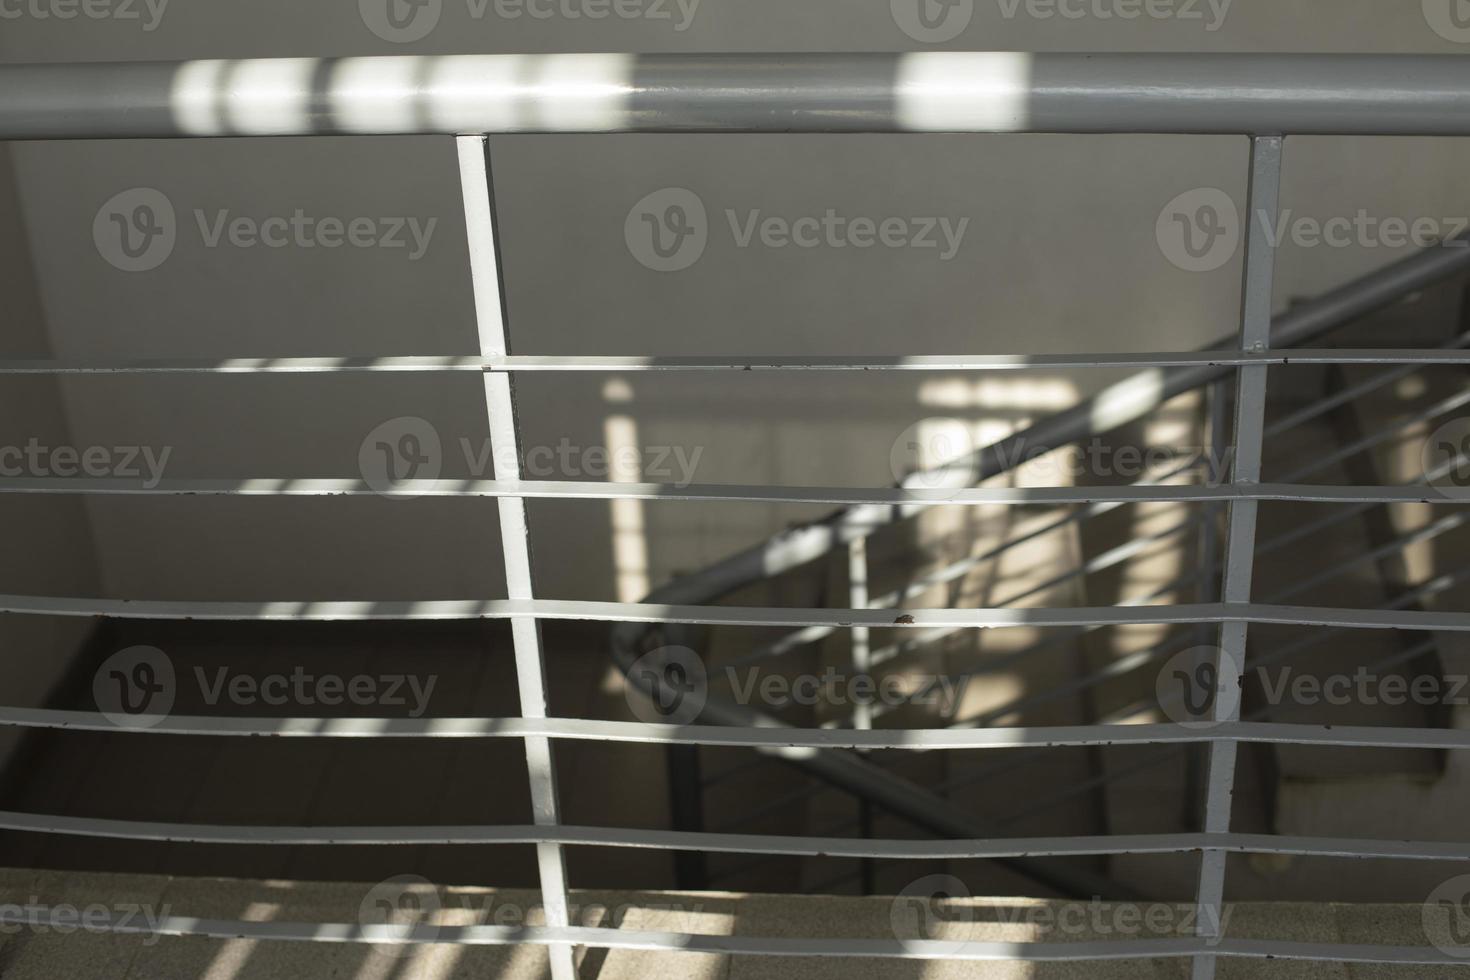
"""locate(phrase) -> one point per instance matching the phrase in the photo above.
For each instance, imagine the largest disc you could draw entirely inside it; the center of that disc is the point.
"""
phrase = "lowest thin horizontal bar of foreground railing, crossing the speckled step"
(603, 938)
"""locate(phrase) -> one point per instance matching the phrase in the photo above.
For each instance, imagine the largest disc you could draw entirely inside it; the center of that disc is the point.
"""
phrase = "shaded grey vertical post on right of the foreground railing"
(1262, 208)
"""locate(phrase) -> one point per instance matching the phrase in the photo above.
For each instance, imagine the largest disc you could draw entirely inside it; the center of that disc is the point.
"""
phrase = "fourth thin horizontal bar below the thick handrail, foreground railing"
(637, 732)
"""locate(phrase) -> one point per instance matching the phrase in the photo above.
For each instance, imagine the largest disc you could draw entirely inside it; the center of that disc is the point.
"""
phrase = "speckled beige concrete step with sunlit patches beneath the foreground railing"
(85, 956)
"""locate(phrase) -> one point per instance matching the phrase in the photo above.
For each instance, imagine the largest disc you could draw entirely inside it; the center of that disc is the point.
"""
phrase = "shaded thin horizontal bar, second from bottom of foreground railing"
(787, 846)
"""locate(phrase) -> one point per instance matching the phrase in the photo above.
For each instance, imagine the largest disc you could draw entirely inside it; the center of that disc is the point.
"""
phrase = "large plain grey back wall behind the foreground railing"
(1061, 253)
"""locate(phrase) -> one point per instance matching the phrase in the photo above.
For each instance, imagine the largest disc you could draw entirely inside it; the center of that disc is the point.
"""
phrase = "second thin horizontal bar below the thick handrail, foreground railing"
(736, 493)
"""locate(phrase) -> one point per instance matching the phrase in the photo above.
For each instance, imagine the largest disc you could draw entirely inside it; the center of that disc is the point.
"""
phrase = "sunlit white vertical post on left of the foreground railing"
(505, 436)
